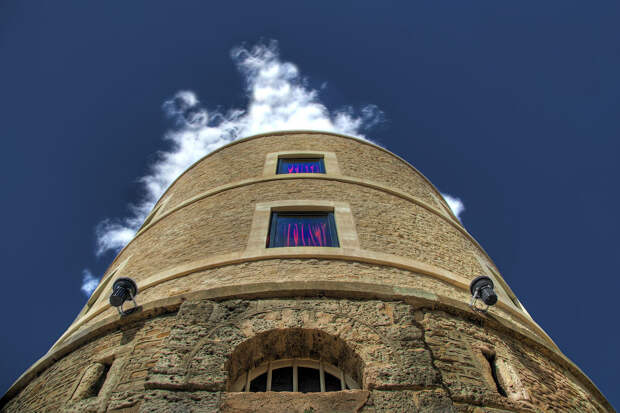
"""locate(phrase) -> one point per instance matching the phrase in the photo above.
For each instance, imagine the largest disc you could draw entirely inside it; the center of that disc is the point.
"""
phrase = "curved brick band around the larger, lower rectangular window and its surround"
(221, 224)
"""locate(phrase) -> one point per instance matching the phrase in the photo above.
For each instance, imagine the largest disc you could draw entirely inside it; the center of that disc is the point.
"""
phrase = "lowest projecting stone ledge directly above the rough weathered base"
(342, 289)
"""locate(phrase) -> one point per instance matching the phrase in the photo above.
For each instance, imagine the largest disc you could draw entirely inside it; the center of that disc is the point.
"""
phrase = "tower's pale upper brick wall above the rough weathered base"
(207, 219)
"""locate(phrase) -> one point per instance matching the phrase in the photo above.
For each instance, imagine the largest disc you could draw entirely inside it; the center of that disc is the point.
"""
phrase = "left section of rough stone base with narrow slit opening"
(52, 391)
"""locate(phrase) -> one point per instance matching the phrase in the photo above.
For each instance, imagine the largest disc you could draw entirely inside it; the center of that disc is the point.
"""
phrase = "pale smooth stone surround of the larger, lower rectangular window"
(345, 225)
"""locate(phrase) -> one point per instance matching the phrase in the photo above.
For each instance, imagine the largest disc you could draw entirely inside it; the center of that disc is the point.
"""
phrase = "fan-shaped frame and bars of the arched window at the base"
(243, 383)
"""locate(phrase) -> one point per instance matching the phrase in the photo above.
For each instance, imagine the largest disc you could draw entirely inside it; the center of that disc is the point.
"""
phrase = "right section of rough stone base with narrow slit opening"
(530, 381)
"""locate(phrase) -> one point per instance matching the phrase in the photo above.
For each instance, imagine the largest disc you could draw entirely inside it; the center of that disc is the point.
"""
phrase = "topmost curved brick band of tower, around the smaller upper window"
(245, 159)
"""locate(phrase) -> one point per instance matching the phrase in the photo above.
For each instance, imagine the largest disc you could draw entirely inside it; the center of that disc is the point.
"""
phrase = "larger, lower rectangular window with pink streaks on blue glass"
(302, 229)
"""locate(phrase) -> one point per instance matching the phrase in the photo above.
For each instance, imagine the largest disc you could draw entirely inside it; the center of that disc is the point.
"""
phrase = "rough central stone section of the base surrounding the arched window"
(360, 336)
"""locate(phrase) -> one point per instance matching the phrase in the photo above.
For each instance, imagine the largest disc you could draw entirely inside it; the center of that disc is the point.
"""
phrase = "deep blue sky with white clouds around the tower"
(511, 109)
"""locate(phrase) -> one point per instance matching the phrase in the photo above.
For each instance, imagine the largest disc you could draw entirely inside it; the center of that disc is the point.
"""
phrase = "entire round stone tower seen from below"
(303, 272)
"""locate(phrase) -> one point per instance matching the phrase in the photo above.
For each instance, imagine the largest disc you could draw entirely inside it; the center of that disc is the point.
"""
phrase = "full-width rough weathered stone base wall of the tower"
(405, 357)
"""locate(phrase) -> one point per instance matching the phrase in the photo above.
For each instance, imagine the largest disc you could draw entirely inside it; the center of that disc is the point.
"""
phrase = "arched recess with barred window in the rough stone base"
(299, 360)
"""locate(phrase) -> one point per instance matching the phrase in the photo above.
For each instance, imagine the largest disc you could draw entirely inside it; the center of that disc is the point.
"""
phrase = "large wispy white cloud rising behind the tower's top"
(278, 99)
